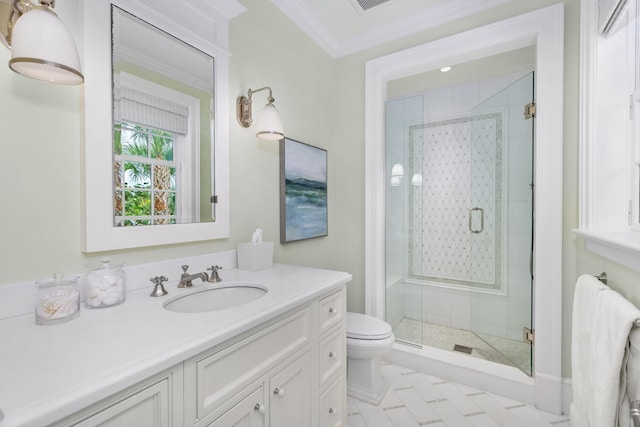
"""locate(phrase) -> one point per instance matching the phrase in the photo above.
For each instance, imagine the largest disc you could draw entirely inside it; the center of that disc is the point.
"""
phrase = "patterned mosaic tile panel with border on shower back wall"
(461, 164)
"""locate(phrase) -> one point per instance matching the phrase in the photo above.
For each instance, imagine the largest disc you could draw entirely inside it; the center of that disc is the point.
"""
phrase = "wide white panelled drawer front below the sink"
(219, 374)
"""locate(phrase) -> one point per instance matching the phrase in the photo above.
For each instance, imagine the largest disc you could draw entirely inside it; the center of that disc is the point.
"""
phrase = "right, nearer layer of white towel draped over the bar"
(609, 352)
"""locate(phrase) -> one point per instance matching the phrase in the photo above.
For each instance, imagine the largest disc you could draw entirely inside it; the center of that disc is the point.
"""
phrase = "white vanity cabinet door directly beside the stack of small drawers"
(290, 395)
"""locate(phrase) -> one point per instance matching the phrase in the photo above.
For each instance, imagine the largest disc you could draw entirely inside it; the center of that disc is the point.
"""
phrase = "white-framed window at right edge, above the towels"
(610, 130)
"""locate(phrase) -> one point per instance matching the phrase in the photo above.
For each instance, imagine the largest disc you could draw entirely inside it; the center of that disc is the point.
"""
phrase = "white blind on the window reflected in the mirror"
(147, 110)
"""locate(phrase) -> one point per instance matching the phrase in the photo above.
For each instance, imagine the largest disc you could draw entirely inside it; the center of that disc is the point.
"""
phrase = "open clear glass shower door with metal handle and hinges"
(500, 223)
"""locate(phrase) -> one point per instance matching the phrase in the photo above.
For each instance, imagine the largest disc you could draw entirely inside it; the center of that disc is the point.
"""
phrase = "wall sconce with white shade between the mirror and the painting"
(269, 125)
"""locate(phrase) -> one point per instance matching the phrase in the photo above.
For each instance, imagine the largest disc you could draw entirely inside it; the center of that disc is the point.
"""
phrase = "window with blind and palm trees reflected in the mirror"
(155, 154)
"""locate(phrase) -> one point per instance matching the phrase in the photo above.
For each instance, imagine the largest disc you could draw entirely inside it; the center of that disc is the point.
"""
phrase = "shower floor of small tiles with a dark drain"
(501, 350)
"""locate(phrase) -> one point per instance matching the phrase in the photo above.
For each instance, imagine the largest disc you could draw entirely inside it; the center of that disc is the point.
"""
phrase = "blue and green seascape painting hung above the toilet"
(303, 191)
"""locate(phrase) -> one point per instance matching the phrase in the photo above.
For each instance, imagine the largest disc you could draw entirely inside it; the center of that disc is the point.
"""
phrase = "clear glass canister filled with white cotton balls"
(104, 285)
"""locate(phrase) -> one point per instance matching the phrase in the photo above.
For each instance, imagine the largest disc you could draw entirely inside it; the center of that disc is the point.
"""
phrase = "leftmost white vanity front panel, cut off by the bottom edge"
(147, 408)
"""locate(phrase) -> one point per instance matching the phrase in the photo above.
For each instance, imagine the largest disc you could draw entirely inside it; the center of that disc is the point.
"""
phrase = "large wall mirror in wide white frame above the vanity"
(156, 158)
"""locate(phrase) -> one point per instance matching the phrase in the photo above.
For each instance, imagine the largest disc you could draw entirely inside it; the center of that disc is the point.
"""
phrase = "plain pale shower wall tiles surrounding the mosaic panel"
(500, 315)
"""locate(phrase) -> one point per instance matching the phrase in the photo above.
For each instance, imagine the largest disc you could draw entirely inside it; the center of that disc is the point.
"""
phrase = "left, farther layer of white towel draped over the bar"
(583, 320)
